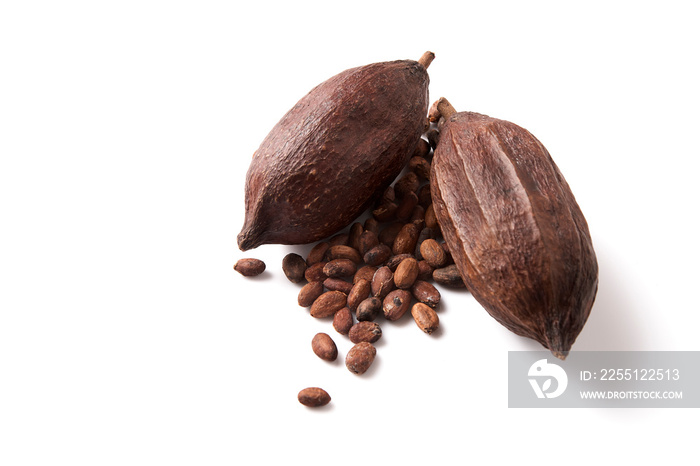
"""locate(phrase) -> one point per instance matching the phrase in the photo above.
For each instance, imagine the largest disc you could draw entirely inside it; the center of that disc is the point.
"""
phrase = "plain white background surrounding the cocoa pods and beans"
(126, 129)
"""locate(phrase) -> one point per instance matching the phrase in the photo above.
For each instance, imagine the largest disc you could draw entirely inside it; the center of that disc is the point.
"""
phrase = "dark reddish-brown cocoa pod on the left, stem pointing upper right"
(362, 125)
